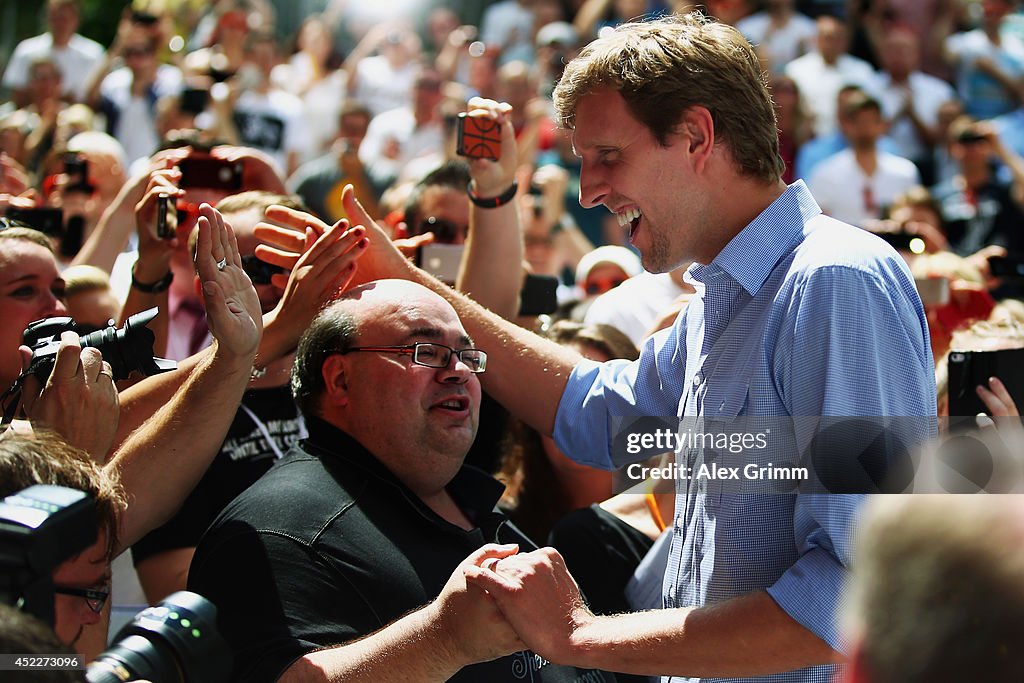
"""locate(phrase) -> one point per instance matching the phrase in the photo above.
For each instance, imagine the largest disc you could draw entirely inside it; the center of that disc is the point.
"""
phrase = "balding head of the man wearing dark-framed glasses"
(392, 366)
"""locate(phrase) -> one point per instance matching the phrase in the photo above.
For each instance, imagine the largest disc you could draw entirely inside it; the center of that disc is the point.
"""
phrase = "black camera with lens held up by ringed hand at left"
(127, 350)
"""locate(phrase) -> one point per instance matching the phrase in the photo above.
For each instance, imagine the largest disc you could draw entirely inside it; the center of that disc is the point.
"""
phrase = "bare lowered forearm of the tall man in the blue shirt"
(746, 636)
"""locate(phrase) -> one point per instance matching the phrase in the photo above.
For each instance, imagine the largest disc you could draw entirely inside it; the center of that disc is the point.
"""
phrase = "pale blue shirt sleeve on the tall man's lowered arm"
(883, 370)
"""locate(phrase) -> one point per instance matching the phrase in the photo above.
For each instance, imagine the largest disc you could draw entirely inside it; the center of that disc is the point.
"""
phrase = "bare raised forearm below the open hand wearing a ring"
(165, 458)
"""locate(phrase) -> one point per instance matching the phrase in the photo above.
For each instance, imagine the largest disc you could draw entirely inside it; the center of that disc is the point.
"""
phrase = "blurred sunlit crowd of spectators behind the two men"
(904, 117)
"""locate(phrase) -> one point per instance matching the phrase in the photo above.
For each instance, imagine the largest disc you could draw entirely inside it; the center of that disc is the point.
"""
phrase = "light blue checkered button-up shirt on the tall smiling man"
(799, 316)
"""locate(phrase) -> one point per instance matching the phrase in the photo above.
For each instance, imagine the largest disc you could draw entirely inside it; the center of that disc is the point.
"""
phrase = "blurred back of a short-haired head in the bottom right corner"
(937, 590)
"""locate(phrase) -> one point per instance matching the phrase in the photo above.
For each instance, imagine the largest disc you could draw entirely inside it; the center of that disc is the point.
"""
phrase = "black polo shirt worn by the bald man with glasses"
(329, 546)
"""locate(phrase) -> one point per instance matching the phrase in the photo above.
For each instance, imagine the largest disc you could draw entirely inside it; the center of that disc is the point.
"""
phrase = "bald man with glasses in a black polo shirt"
(346, 561)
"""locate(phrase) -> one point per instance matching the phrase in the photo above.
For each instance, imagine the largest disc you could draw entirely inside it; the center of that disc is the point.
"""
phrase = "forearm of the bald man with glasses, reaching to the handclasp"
(412, 649)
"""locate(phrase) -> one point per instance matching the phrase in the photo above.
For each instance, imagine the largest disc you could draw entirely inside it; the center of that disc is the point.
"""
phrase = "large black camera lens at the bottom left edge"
(173, 643)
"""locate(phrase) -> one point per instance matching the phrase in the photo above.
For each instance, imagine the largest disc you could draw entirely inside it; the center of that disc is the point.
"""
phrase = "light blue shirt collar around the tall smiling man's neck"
(752, 255)
